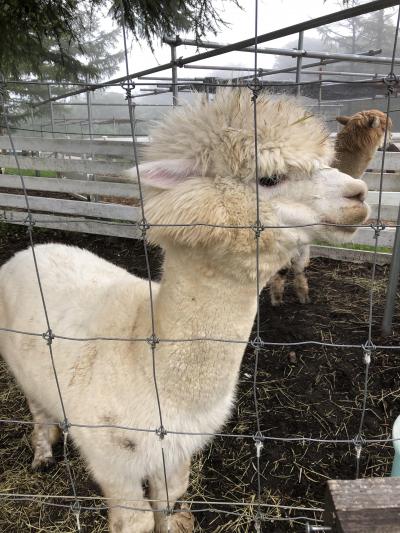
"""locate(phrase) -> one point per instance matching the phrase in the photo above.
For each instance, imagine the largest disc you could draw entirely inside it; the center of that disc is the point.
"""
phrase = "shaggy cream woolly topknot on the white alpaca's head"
(219, 136)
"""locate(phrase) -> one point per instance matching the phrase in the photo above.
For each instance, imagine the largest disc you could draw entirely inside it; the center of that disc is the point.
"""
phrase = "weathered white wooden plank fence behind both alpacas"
(82, 172)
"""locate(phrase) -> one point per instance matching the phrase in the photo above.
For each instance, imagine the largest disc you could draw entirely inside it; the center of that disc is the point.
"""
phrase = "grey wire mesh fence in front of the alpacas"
(260, 436)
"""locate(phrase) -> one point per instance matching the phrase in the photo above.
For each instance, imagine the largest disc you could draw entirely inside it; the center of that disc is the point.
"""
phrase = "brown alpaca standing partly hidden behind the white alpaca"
(355, 146)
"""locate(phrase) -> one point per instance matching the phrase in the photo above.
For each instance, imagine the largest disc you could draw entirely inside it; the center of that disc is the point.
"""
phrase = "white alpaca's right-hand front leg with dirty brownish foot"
(181, 521)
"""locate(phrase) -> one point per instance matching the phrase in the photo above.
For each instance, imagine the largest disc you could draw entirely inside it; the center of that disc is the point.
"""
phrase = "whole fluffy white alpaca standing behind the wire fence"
(202, 170)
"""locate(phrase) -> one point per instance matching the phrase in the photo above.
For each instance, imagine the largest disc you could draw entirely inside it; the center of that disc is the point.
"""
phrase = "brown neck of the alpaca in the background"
(353, 162)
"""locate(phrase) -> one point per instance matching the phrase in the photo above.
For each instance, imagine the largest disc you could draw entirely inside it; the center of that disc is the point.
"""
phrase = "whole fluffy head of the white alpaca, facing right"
(201, 169)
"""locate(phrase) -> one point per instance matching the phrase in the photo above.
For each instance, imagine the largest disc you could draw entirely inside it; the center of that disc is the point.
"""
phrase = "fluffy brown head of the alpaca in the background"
(365, 129)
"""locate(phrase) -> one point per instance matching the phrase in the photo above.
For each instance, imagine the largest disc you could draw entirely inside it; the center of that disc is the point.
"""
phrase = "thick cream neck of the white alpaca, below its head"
(196, 299)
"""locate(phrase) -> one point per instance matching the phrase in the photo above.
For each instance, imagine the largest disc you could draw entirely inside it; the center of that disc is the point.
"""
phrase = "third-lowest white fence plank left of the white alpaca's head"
(33, 183)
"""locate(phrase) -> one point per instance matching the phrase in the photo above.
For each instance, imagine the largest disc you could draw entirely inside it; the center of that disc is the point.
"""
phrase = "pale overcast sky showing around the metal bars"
(273, 14)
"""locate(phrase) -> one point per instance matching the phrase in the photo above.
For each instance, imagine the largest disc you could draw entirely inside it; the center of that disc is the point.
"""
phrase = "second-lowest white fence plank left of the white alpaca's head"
(71, 207)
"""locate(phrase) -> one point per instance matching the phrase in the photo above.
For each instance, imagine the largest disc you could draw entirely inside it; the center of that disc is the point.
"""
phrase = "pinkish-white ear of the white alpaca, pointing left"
(163, 174)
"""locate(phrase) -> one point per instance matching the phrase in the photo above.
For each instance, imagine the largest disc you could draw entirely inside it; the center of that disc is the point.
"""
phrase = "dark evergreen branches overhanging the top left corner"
(37, 32)
